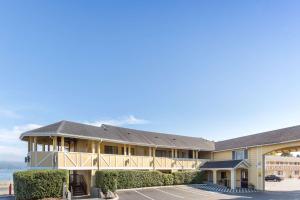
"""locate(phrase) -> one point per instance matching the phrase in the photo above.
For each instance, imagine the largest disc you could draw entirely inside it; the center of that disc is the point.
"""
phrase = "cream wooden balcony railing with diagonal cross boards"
(78, 160)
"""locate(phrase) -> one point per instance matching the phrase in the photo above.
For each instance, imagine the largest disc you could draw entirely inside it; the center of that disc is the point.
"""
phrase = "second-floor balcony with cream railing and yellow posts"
(93, 156)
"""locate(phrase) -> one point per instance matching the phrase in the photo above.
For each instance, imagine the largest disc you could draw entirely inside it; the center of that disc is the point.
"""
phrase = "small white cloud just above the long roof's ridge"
(127, 120)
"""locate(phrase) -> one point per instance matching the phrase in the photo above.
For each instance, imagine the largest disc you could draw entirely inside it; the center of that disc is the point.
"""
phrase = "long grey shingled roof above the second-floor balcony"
(121, 135)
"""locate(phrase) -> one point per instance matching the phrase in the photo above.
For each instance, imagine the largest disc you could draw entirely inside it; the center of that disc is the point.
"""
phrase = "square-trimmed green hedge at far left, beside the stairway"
(39, 184)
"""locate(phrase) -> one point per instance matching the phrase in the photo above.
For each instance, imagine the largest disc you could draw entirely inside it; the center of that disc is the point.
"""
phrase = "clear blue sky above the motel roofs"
(212, 69)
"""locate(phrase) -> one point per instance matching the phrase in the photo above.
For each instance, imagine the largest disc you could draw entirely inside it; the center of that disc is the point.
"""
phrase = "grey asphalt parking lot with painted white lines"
(192, 193)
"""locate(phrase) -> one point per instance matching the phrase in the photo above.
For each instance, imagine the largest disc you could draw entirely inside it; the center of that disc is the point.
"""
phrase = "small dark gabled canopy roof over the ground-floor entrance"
(225, 165)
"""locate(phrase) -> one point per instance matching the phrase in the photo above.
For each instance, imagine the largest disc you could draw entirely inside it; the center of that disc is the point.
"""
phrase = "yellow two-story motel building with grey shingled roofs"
(83, 149)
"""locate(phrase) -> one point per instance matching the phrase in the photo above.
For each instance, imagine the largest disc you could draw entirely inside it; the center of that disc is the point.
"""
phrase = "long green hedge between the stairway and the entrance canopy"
(124, 179)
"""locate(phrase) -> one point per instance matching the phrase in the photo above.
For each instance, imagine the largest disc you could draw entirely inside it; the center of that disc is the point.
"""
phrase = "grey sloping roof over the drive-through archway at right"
(276, 136)
